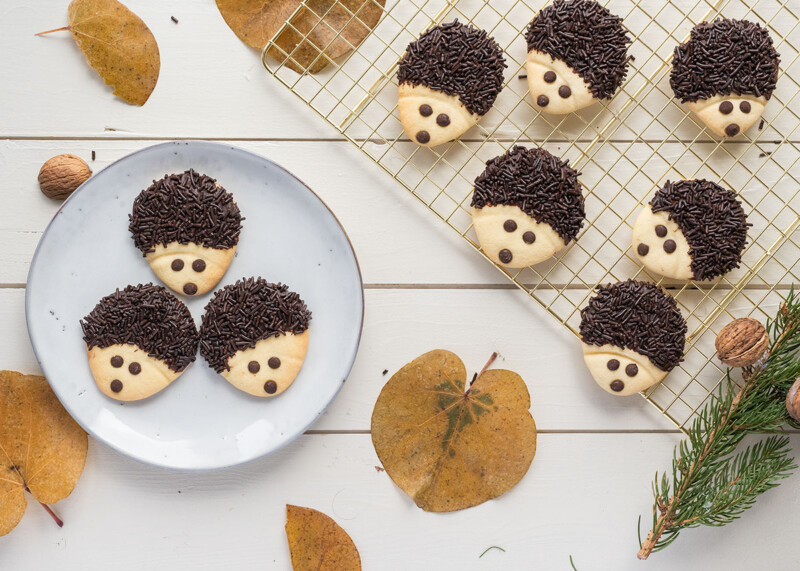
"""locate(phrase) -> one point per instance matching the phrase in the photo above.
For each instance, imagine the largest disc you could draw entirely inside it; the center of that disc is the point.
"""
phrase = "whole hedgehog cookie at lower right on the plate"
(255, 334)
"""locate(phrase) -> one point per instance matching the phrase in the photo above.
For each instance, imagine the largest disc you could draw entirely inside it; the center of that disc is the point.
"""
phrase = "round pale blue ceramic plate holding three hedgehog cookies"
(199, 422)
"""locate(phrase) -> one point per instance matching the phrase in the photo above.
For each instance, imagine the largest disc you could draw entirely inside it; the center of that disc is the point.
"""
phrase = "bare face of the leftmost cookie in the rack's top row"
(432, 117)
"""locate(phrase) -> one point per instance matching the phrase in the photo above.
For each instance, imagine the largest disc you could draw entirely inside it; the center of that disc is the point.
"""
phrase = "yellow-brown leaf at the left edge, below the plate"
(42, 449)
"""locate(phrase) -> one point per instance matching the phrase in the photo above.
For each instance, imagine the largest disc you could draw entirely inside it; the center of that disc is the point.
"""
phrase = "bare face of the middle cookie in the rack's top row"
(554, 86)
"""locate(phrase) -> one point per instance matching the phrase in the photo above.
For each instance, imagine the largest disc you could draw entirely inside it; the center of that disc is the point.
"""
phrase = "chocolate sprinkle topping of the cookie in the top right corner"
(725, 57)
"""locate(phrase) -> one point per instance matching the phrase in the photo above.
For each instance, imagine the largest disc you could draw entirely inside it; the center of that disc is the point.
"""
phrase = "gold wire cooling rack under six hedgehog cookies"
(625, 148)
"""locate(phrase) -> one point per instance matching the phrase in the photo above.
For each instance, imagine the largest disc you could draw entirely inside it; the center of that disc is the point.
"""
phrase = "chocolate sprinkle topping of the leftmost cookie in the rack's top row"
(458, 60)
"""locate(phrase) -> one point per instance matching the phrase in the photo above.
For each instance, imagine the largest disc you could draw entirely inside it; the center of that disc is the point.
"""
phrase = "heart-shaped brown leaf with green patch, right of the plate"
(447, 446)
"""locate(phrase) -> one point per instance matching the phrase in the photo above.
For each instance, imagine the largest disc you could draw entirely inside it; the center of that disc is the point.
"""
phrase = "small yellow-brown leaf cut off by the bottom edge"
(317, 543)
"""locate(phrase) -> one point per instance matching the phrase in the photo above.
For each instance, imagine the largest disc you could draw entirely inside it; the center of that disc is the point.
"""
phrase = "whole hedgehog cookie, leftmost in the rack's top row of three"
(449, 78)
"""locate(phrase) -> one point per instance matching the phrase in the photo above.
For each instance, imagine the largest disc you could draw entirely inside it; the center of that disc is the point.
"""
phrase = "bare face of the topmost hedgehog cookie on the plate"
(190, 268)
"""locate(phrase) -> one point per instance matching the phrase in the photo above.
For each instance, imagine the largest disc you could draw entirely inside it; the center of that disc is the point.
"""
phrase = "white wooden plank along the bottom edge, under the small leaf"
(582, 497)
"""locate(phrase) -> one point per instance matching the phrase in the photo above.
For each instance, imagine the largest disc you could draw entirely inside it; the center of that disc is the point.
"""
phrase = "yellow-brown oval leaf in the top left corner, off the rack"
(118, 45)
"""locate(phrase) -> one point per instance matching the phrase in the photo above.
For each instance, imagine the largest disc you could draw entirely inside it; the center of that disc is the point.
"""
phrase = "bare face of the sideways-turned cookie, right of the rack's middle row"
(661, 246)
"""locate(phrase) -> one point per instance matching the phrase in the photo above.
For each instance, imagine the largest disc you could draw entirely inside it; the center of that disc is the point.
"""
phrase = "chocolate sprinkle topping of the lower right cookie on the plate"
(242, 314)
